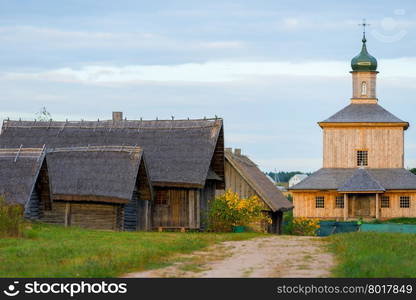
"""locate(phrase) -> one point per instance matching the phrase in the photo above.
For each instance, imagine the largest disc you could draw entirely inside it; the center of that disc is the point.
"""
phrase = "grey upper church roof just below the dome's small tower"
(363, 113)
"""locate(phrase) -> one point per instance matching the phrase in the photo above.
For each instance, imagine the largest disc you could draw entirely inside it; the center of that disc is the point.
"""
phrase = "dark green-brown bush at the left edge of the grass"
(11, 219)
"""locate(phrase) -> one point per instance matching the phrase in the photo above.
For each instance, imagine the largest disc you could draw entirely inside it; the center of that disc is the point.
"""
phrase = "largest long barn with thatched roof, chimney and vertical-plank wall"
(185, 157)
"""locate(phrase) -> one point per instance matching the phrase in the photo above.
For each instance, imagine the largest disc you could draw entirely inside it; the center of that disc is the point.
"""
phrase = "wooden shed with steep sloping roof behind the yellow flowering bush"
(244, 177)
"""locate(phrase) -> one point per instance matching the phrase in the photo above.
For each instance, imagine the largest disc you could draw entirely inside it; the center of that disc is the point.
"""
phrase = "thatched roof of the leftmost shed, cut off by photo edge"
(19, 169)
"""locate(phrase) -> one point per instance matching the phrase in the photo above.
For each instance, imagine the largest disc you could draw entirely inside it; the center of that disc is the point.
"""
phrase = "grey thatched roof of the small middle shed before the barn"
(100, 172)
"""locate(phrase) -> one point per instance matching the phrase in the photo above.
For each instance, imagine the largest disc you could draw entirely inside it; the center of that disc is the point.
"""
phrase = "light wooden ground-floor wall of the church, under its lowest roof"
(304, 203)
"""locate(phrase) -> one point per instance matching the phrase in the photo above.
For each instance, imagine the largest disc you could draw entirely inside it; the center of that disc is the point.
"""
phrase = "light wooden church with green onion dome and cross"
(363, 174)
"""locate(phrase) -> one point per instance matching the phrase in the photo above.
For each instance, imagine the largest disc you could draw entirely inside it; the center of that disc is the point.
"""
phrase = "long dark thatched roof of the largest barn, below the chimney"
(178, 152)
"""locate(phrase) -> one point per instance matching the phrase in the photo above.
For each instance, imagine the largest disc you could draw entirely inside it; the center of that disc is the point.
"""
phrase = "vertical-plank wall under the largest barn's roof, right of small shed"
(180, 208)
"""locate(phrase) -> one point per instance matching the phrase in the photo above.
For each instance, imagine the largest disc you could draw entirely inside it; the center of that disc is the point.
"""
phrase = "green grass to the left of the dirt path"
(52, 251)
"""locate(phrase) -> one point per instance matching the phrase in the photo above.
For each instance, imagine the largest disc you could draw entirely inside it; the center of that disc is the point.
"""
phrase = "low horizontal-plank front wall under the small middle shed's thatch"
(86, 215)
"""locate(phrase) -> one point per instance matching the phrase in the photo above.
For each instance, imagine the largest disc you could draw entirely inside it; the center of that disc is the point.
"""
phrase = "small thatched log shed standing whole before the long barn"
(100, 187)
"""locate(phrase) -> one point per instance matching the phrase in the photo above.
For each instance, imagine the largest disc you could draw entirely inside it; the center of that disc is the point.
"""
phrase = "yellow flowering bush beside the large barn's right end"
(229, 209)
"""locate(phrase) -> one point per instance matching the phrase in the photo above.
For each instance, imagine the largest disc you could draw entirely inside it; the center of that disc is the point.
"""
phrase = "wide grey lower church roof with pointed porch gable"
(341, 178)
